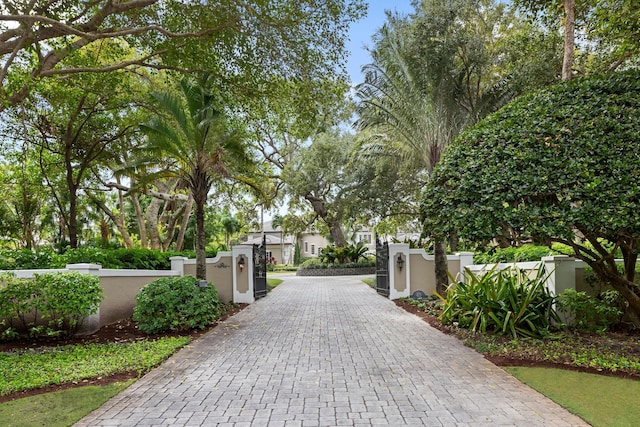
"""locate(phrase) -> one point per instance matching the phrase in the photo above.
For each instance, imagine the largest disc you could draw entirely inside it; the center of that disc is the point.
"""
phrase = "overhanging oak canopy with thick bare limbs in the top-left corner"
(256, 47)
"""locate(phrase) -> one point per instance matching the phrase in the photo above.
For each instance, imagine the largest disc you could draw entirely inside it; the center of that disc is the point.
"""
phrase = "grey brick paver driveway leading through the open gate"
(328, 352)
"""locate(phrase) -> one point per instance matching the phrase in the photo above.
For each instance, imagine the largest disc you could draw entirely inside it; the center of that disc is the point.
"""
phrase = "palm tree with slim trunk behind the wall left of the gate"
(192, 140)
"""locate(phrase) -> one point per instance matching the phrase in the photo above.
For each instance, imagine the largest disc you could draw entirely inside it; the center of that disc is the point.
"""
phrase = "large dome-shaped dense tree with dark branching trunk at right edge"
(557, 165)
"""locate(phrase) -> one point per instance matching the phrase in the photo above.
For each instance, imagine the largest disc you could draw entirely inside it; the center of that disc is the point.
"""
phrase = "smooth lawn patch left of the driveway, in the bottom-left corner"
(58, 409)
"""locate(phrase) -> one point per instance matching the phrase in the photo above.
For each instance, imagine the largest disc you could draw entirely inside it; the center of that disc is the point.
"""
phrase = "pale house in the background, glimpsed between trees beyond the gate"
(281, 247)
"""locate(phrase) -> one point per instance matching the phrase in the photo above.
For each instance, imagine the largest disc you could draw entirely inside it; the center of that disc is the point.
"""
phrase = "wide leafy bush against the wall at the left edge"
(50, 304)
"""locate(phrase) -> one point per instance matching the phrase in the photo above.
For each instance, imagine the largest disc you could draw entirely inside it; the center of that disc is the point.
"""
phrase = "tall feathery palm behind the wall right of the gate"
(410, 117)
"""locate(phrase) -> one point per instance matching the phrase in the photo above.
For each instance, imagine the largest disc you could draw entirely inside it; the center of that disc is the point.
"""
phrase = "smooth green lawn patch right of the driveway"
(599, 400)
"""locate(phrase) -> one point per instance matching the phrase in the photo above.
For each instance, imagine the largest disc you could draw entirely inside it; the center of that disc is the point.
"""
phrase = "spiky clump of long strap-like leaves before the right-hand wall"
(506, 302)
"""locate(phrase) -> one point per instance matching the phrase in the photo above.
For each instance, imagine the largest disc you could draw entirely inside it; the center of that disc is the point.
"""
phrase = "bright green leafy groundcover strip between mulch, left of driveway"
(29, 369)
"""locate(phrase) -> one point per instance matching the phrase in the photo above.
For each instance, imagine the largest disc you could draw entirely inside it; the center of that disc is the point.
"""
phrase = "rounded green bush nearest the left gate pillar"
(175, 304)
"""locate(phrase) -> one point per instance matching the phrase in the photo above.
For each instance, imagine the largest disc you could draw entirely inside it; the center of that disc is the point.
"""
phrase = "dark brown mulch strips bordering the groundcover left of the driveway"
(121, 331)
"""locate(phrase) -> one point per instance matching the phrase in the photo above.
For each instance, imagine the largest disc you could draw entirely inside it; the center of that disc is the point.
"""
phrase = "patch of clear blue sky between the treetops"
(361, 32)
